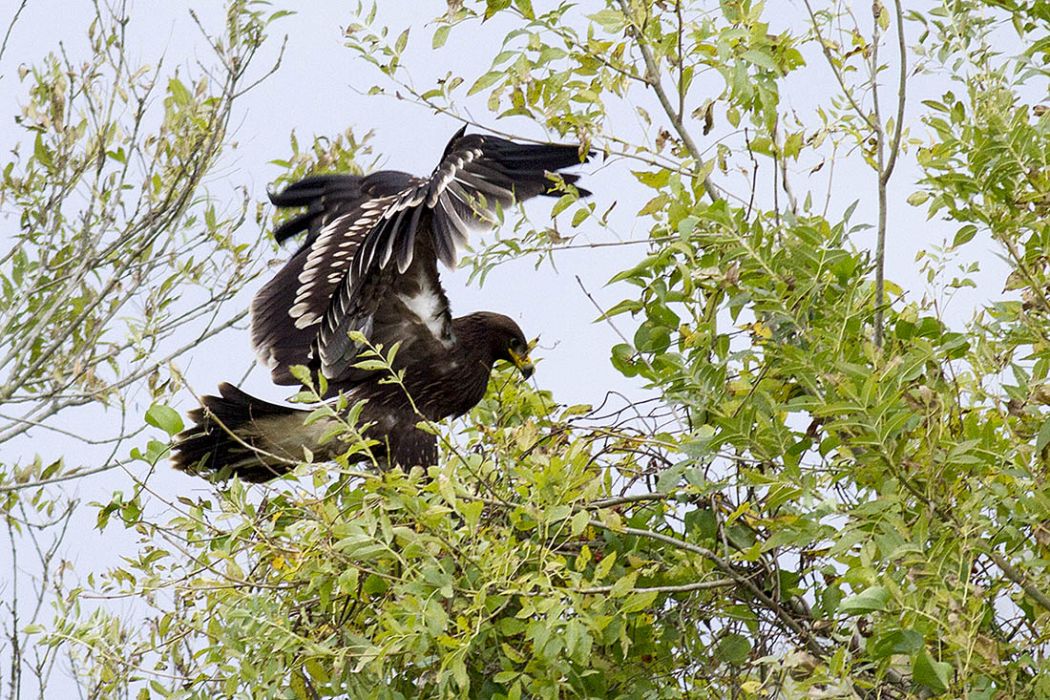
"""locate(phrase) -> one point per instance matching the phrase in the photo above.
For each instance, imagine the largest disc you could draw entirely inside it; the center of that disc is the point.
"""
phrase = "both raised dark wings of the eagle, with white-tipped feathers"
(370, 259)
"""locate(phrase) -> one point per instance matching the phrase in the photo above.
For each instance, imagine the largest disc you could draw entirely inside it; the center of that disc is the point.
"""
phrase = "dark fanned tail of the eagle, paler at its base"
(237, 435)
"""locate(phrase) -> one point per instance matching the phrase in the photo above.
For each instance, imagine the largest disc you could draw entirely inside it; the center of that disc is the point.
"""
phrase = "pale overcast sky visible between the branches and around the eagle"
(320, 91)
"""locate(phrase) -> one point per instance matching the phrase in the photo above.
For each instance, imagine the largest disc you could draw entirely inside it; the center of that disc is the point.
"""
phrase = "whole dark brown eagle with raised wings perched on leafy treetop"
(366, 278)
